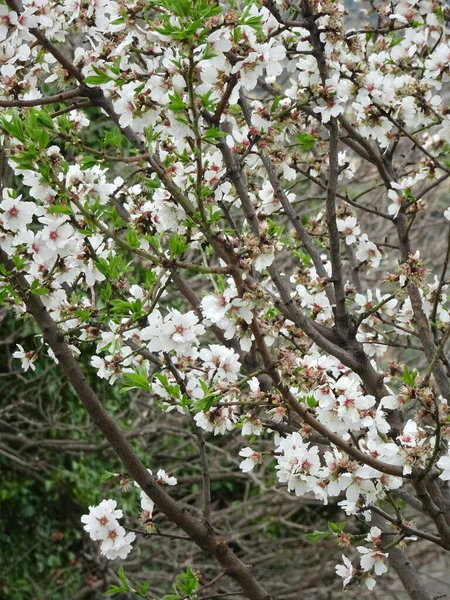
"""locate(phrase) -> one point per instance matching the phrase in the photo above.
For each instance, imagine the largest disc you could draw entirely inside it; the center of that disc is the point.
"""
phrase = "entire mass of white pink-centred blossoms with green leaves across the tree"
(220, 174)
